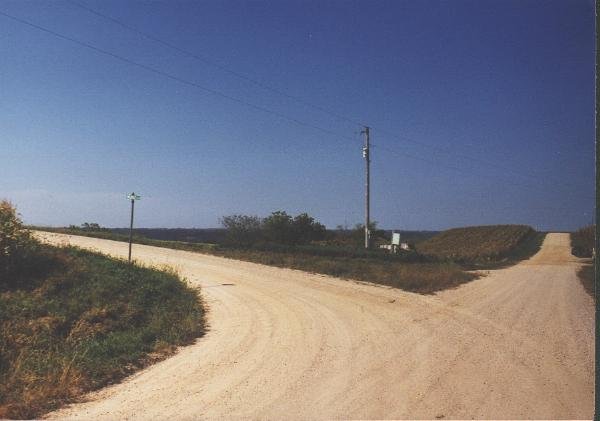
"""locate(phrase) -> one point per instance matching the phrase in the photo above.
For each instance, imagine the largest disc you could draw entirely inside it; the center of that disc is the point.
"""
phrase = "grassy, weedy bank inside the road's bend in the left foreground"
(72, 321)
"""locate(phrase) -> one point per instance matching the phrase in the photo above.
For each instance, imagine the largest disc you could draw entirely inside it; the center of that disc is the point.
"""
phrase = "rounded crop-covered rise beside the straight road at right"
(484, 246)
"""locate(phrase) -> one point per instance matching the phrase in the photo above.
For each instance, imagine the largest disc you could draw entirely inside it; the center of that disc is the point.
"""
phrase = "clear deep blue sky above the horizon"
(482, 112)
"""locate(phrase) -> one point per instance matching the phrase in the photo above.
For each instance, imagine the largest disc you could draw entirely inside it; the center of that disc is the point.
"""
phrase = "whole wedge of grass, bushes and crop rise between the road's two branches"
(301, 242)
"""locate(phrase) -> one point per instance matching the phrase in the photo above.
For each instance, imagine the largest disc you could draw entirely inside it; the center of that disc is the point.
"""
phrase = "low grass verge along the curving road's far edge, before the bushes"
(408, 271)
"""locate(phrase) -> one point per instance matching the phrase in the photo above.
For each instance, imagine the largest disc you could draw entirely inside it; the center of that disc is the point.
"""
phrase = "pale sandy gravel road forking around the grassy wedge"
(286, 344)
